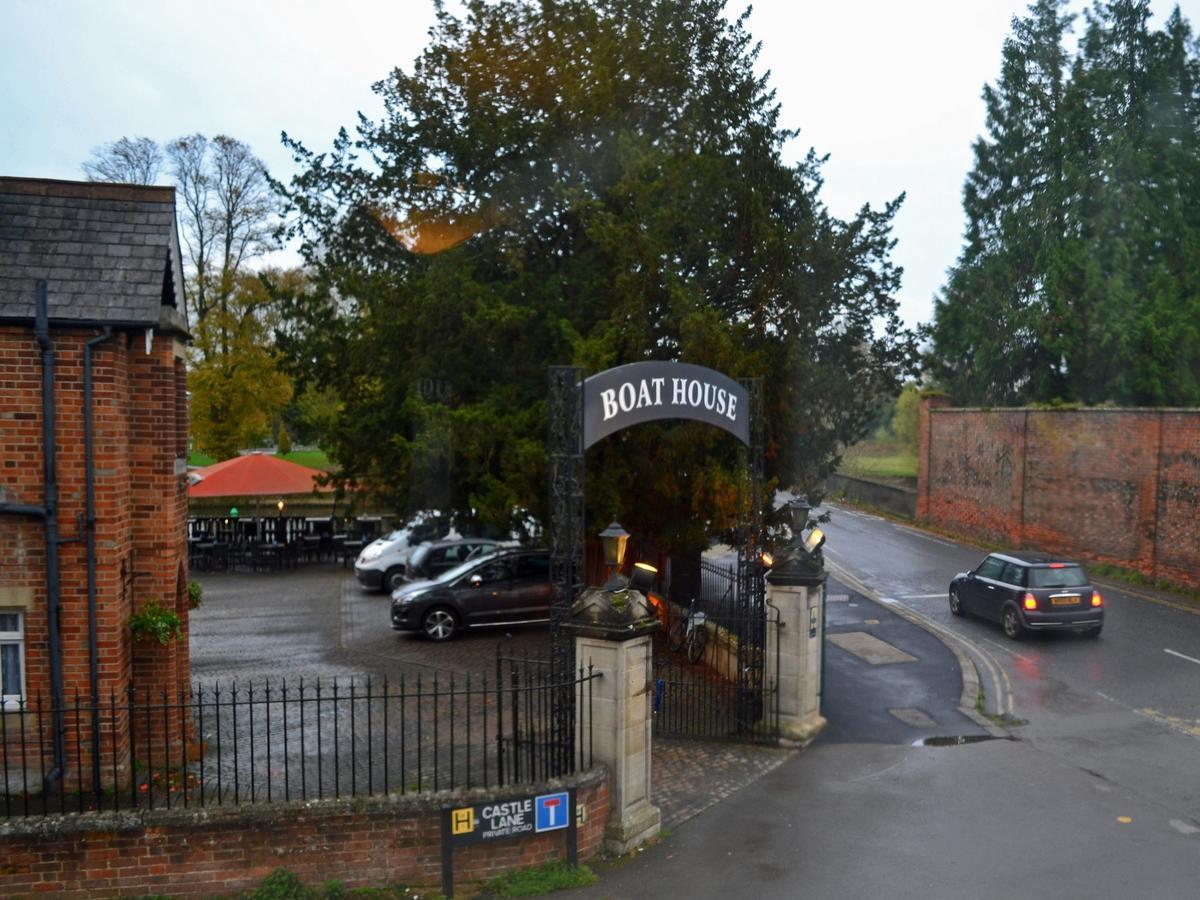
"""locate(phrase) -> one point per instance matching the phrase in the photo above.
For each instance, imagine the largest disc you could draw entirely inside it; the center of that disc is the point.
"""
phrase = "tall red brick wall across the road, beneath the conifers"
(1120, 487)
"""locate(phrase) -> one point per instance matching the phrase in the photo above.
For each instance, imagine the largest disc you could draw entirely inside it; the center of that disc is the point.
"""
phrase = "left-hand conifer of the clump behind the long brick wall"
(991, 325)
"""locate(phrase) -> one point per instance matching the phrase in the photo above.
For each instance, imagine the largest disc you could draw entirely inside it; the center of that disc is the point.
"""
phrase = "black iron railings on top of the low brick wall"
(273, 741)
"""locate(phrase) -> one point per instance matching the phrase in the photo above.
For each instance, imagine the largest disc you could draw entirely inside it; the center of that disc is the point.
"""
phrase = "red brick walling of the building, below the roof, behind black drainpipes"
(140, 431)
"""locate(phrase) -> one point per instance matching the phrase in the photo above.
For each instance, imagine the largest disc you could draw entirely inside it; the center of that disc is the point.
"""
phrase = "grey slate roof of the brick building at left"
(110, 254)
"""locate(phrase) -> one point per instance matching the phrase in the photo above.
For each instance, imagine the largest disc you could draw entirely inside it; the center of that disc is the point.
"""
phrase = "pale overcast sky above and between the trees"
(891, 89)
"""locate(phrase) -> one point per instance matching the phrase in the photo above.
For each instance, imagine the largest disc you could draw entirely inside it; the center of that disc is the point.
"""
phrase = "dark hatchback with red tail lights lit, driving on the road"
(1029, 592)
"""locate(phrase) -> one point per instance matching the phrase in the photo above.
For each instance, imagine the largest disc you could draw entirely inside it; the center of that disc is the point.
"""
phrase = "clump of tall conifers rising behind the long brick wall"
(1078, 278)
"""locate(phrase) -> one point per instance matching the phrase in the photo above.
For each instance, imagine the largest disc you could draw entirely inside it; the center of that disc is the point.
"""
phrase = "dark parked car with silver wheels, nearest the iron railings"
(507, 589)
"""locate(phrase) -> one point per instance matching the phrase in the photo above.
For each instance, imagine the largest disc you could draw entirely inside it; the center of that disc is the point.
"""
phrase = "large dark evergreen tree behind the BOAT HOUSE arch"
(591, 184)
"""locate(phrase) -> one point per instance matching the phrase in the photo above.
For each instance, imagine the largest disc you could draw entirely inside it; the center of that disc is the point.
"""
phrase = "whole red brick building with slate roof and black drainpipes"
(93, 457)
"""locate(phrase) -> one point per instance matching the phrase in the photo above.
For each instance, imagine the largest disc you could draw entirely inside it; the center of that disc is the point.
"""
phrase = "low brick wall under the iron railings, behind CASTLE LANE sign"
(362, 843)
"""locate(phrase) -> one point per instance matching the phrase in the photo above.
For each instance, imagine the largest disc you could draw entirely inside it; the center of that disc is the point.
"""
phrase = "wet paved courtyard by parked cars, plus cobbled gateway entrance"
(316, 622)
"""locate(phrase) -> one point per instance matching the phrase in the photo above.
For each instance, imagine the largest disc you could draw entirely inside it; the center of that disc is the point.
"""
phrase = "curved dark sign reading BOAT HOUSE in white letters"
(650, 392)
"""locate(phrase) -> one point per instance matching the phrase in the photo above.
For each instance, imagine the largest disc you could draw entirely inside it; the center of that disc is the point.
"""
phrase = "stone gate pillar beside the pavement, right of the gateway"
(795, 650)
